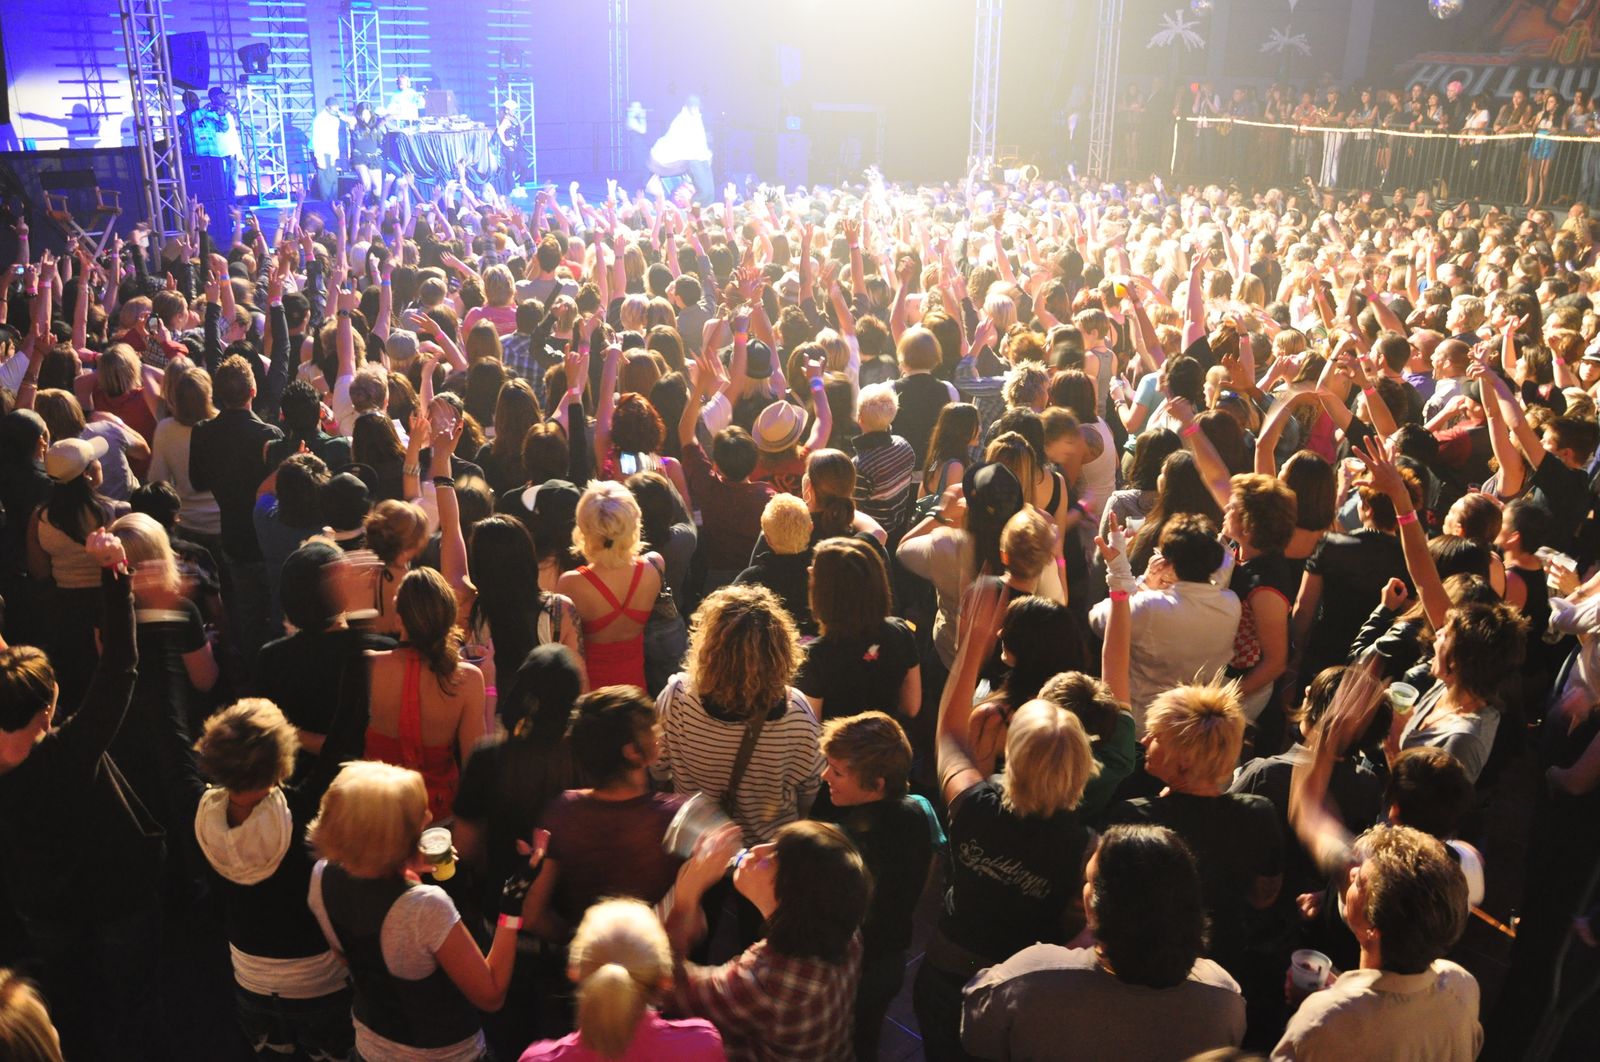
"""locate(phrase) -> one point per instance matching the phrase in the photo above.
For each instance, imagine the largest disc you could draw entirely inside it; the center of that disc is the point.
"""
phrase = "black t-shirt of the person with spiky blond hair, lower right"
(1236, 839)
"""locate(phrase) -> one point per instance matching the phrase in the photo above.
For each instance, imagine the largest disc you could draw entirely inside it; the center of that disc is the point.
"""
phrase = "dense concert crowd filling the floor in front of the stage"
(586, 633)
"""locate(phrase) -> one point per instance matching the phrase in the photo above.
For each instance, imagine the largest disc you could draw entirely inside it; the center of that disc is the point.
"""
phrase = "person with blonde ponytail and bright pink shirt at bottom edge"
(622, 962)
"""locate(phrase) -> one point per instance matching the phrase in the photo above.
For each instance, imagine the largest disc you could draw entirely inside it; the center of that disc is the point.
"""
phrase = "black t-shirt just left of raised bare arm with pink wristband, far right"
(1354, 570)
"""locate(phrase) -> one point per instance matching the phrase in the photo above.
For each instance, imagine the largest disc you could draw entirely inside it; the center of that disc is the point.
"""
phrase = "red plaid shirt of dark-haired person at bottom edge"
(774, 1007)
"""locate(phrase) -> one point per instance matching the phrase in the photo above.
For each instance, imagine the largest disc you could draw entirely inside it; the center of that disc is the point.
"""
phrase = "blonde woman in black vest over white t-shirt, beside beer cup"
(420, 978)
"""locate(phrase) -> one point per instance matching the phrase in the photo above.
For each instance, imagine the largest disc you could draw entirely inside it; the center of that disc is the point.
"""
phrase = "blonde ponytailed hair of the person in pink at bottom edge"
(618, 957)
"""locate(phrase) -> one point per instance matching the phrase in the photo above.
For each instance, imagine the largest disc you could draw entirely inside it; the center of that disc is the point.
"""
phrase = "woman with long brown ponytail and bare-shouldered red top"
(425, 703)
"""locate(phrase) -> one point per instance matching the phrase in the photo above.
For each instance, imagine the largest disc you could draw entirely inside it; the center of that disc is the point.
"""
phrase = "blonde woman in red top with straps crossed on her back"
(617, 589)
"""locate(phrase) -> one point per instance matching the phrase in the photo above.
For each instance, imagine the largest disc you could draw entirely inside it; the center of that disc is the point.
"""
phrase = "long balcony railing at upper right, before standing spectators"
(1506, 169)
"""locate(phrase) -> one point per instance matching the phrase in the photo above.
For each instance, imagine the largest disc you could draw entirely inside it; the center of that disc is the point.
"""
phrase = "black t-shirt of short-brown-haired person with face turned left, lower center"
(897, 840)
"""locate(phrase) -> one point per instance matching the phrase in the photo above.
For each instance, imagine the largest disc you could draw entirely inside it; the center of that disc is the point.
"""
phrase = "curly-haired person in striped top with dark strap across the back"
(735, 687)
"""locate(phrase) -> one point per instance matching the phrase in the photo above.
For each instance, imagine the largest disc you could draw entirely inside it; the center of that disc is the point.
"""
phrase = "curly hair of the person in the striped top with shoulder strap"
(745, 650)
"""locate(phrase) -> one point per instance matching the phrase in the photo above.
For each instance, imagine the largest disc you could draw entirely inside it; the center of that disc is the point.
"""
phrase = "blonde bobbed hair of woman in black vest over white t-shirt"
(370, 820)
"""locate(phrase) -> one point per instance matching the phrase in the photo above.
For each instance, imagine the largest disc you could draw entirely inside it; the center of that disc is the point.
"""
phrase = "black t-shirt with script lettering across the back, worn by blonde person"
(1012, 877)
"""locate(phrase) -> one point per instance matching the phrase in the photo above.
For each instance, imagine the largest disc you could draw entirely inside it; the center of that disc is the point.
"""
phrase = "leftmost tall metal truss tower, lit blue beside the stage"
(154, 119)
